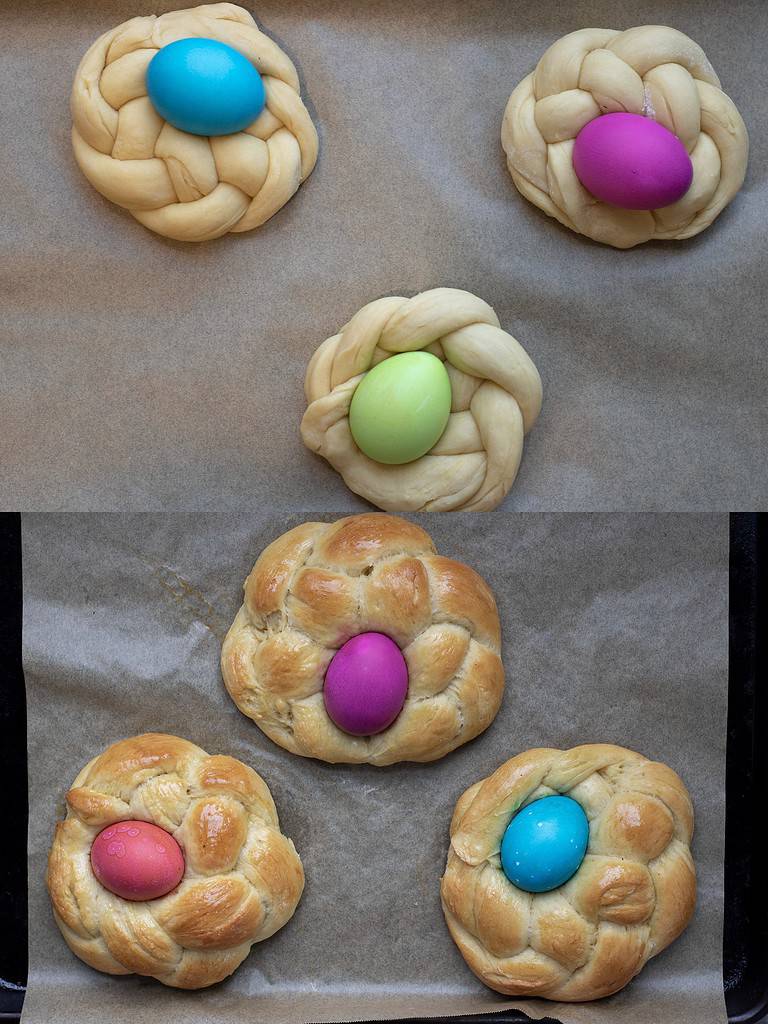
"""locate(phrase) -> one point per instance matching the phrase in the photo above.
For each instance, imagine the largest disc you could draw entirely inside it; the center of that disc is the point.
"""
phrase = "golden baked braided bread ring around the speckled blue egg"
(633, 894)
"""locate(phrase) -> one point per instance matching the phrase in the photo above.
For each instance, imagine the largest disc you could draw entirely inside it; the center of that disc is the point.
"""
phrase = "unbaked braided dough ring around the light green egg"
(497, 396)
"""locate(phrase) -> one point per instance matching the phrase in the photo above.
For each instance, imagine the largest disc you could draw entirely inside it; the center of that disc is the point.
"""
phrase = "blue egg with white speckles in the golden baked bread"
(545, 844)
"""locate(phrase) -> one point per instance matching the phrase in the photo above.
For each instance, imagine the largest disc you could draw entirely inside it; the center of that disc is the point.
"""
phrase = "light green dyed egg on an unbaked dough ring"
(401, 408)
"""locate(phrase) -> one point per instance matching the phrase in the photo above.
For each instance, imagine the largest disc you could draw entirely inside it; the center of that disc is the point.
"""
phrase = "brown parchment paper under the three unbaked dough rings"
(140, 374)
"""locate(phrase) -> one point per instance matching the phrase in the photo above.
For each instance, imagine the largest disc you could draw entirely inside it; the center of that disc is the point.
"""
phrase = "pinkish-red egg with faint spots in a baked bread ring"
(138, 861)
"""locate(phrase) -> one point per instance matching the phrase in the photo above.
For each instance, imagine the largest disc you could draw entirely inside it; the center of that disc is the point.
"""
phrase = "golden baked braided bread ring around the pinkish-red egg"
(243, 877)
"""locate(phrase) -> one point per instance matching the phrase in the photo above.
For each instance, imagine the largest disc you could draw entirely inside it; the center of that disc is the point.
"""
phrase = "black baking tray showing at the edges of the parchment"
(746, 934)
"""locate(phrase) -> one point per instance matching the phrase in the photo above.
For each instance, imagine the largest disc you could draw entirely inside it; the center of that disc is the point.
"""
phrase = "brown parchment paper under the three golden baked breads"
(615, 629)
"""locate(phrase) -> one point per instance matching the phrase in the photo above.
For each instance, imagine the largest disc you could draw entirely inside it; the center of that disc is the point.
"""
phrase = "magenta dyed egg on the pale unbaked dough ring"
(632, 162)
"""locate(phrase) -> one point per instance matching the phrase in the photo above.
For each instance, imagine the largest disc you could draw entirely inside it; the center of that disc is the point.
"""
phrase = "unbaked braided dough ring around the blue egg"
(182, 186)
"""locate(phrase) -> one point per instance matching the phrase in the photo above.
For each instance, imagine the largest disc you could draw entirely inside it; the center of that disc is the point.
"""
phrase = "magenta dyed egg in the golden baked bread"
(366, 685)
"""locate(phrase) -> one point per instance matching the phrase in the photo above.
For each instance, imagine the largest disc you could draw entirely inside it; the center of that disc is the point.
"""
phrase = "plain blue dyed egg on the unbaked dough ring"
(205, 88)
